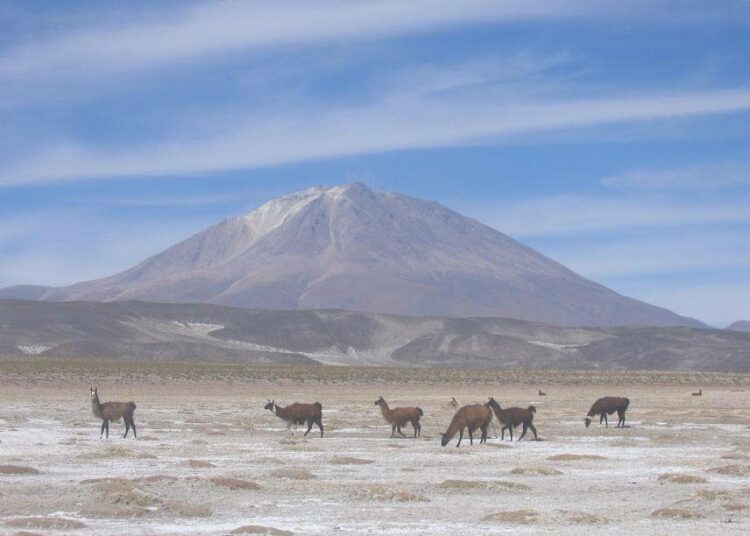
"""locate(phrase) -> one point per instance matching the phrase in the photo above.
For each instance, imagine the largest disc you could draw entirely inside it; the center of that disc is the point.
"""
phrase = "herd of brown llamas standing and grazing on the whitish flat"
(468, 418)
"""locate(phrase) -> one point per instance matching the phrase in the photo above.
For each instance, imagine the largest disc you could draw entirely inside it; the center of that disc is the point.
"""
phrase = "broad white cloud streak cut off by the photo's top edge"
(217, 27)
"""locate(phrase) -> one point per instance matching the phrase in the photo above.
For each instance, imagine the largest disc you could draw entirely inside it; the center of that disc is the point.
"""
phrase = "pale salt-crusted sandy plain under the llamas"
(210, 460)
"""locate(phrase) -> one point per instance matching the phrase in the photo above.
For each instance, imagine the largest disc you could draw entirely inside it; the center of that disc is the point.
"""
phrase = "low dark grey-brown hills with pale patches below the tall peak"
(198, 331)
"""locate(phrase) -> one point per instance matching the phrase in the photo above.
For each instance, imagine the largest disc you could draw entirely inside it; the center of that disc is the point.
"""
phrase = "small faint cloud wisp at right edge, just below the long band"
(704, 176)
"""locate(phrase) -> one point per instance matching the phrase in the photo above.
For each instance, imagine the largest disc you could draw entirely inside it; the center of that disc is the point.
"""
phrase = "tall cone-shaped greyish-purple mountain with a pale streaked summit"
(349, 247)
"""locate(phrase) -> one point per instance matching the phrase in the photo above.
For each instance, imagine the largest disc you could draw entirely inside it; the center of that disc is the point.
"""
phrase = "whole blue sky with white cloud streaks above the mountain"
(613, 137)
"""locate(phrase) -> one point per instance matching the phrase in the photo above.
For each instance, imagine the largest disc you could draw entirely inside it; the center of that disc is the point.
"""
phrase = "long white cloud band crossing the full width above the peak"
(393, 125)
